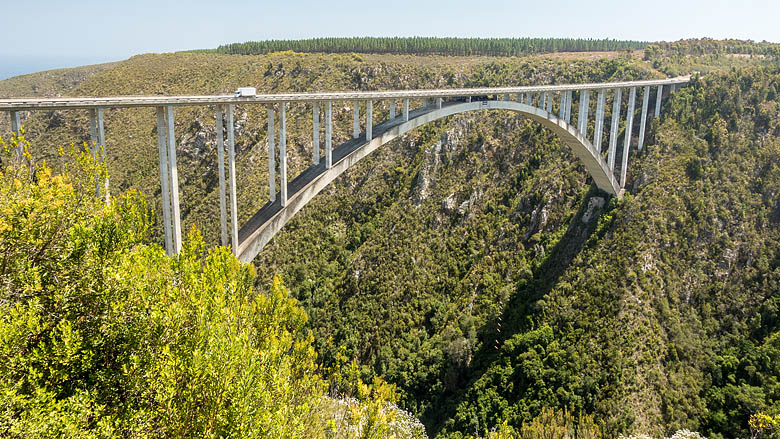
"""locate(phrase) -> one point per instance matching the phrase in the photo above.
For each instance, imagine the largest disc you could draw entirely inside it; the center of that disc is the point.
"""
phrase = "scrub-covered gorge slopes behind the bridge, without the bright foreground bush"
(472, 263)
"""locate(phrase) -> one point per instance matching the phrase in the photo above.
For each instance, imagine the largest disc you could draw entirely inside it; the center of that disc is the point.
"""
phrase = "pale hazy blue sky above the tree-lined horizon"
(40, 34)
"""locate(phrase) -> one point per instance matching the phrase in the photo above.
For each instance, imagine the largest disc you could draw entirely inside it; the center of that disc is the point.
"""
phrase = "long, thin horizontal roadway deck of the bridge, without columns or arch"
(18, 104)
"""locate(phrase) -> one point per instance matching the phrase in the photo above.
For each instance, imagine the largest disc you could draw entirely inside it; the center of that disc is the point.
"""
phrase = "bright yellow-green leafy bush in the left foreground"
(103, 335)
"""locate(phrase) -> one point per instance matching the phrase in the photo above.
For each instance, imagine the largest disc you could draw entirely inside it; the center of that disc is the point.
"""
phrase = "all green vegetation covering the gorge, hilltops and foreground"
(467, 280)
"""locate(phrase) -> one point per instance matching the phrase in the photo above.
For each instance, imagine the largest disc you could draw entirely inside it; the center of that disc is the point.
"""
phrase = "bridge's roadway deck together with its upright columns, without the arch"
(558, 101)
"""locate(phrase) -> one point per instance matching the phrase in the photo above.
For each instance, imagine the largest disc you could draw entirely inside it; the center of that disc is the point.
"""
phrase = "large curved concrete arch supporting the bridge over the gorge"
(262, 227)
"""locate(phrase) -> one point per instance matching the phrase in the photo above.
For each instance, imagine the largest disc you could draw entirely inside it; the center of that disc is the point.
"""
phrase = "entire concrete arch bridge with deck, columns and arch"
(550, 105)
